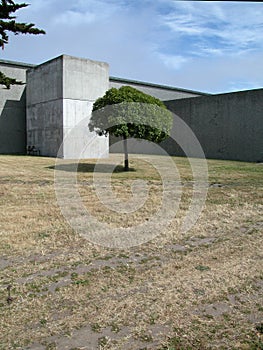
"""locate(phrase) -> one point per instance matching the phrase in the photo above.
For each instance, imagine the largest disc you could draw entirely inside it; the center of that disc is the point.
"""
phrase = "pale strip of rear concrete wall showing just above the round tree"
(164, 93)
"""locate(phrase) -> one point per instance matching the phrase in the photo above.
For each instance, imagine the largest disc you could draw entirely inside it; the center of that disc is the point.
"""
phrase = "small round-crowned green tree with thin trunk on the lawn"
(128, 112)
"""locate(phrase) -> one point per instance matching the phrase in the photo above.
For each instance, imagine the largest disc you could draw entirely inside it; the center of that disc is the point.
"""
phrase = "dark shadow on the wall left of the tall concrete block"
(13, 127)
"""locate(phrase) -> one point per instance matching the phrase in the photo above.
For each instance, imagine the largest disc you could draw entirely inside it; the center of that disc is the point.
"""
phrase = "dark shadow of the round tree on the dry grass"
(90, 168)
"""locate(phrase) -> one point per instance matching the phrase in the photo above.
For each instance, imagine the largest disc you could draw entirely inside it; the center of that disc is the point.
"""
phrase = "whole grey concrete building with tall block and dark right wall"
(51, 112)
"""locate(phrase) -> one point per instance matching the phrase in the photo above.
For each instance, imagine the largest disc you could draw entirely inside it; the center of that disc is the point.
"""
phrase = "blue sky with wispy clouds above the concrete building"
(206, 46)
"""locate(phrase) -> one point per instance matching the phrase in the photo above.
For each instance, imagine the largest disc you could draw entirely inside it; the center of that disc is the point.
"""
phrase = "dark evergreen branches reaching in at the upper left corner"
(9, 24)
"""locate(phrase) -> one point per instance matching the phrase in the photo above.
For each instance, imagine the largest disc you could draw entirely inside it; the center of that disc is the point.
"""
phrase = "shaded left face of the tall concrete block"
(45, 107)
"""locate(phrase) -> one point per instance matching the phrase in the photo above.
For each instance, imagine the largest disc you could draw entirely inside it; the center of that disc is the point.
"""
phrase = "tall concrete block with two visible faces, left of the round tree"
(60, 95)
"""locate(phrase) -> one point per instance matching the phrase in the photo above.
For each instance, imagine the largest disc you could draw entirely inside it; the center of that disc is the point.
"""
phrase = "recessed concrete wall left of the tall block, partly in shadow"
(13, 110)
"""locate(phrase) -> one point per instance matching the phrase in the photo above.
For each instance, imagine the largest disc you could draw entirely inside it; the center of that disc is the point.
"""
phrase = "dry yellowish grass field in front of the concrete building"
(199, 290)
